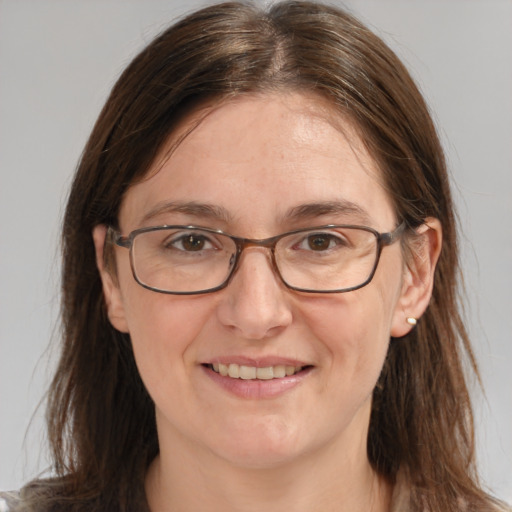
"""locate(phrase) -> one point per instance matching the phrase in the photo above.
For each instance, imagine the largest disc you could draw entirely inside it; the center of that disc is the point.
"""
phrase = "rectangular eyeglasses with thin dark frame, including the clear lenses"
(187, 260)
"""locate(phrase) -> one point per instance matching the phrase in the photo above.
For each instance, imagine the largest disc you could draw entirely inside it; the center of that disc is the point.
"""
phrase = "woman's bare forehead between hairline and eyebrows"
(258, 157)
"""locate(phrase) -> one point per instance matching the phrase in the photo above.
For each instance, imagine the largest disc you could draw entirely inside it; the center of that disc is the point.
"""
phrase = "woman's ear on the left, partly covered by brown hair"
(111, 291)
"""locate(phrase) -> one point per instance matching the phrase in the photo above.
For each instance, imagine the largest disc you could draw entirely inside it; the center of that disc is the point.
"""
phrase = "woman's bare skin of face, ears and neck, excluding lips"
(258, 158)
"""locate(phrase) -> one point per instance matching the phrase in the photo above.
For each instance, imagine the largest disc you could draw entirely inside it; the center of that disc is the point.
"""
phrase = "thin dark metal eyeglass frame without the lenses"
(241, 243)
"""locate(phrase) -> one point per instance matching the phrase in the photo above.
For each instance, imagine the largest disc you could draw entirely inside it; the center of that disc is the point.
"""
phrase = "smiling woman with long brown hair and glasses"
(259, 283)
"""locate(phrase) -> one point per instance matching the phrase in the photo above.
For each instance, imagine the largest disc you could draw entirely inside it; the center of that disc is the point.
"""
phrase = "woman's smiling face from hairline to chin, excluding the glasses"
(256, 167)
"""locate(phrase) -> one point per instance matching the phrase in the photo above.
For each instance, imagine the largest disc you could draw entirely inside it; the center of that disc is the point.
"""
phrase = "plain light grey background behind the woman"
(58, 60)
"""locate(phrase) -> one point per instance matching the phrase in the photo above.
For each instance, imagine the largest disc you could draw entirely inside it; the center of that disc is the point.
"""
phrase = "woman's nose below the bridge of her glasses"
(255, 304)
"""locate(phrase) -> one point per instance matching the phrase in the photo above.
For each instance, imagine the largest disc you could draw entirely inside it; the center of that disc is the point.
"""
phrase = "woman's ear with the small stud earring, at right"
(418, 279)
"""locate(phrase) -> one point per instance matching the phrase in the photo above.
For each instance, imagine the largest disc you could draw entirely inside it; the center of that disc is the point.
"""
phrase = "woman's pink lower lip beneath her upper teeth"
(257, 389)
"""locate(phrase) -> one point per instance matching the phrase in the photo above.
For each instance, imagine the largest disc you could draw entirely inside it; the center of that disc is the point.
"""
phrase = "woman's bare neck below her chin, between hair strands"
(333, 479)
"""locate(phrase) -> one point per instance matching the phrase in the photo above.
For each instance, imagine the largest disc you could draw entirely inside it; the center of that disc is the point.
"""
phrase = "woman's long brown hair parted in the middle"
(100, 417)
